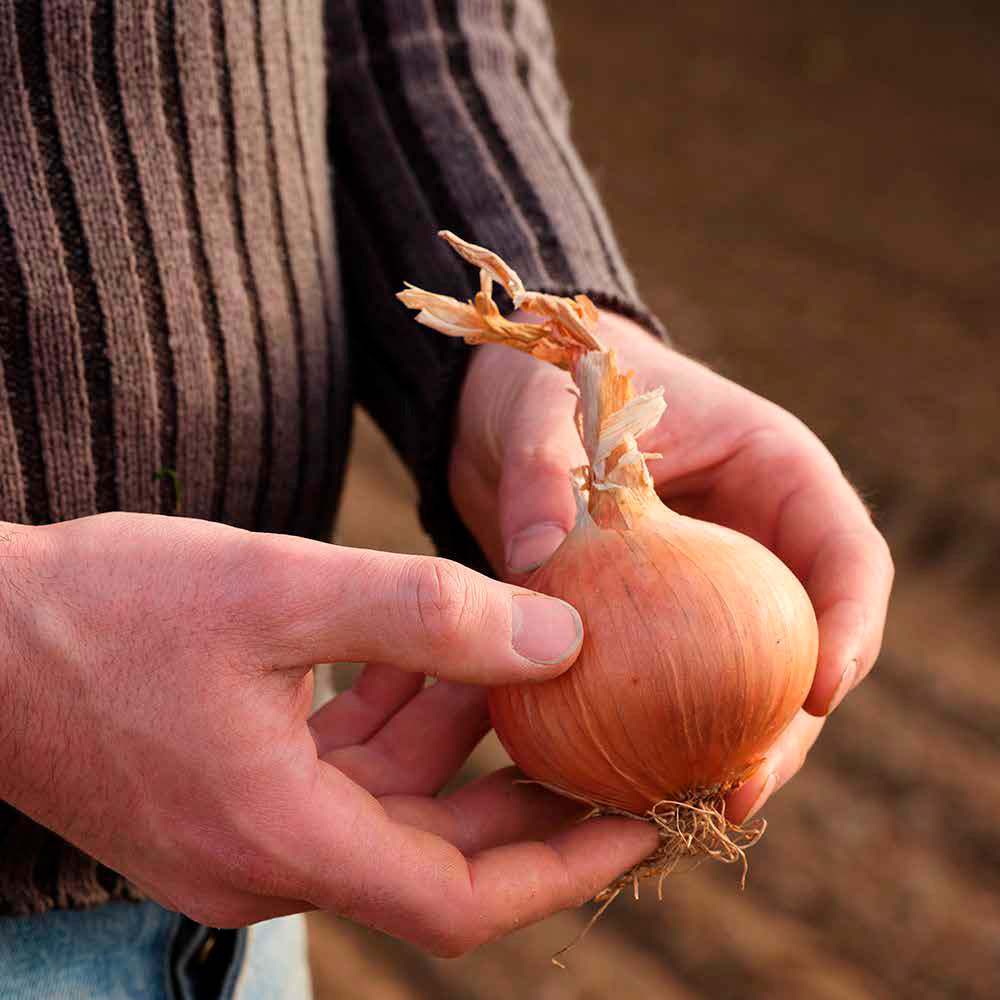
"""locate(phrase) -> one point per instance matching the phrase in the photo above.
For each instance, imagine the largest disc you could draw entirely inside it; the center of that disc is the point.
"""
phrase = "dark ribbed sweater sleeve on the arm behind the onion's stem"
(449, 114)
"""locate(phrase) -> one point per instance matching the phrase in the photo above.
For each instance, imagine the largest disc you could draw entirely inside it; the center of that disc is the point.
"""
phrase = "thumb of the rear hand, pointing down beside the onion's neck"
(539, 450)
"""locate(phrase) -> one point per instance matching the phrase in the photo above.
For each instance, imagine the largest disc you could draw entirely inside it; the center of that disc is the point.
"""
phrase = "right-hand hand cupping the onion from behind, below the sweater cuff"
(729, 456)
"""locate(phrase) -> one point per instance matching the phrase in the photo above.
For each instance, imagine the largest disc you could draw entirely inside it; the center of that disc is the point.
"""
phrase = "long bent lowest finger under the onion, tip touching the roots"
(419, 887)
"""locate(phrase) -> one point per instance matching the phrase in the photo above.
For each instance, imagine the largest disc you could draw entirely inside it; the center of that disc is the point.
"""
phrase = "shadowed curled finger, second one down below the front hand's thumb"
(422, 746)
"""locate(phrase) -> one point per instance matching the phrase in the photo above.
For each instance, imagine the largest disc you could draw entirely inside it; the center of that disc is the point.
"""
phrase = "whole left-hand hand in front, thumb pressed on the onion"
(155, 693)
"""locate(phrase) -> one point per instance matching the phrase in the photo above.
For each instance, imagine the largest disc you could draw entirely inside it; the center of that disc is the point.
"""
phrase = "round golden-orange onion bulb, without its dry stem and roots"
(699, 648)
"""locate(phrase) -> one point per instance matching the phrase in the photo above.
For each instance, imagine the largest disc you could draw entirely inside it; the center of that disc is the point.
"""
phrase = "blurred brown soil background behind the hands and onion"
(808, 194)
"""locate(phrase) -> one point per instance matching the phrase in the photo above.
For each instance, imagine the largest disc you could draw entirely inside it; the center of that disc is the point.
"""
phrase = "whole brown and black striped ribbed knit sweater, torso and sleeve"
(205, 207)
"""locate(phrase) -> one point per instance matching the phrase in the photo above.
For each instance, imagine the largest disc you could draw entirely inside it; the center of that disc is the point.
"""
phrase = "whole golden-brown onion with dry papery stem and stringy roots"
(700, 644)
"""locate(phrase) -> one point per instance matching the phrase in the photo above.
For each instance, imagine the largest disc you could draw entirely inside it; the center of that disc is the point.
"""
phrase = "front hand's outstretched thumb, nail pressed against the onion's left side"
(303, 602)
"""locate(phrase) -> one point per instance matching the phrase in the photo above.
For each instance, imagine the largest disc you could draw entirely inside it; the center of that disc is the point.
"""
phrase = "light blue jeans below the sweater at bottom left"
(140, 951)
